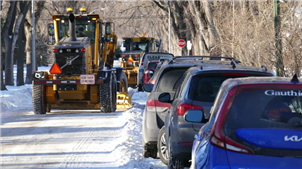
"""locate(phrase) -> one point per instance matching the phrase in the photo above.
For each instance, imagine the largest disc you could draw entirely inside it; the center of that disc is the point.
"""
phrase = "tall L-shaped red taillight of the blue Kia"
(218, 137)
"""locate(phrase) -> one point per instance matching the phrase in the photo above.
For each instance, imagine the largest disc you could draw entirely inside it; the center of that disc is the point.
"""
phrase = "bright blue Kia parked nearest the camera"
(254, 123)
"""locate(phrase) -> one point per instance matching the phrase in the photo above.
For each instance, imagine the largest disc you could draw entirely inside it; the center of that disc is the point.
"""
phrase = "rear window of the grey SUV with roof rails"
(169, 78)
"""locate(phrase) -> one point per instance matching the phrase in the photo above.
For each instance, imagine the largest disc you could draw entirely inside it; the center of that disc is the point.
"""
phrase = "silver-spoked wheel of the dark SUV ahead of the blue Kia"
(162, 146)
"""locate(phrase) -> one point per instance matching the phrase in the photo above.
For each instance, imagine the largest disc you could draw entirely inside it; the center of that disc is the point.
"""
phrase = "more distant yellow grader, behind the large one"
(135, 47)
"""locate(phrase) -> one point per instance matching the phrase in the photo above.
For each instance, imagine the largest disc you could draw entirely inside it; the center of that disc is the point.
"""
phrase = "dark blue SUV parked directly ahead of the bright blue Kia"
(199, 91)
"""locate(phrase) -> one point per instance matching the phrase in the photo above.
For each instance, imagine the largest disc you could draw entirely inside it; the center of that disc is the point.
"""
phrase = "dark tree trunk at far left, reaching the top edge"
(9, 60)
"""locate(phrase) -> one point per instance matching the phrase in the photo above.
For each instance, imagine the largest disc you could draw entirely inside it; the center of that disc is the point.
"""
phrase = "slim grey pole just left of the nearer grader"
(33, 36)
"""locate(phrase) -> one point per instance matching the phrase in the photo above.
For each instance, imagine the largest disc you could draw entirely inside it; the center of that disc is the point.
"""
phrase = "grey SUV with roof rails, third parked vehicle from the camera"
(167, 80)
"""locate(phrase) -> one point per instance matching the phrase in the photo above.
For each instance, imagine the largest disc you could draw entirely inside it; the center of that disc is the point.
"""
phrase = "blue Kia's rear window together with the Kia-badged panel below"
(267, 121)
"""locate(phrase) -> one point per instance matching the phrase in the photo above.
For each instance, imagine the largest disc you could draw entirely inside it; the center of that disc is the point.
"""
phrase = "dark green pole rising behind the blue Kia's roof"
(278, 43)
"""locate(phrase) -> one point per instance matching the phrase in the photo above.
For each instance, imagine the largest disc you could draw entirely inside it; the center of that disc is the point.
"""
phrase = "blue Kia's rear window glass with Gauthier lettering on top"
(263, 109)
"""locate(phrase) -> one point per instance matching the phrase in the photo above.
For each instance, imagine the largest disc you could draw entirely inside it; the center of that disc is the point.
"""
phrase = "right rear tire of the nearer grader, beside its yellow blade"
(107, 91)
